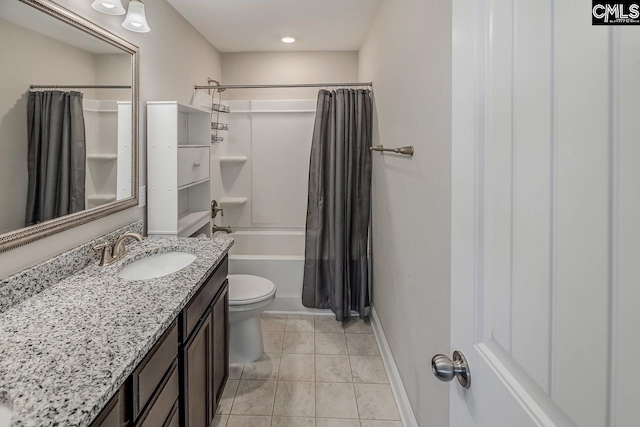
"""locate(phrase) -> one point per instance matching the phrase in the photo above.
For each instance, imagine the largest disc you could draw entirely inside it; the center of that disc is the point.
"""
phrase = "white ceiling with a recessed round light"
(258, 25)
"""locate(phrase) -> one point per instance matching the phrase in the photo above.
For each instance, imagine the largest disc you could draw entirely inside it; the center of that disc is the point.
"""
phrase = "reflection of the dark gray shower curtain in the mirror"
(57, 155)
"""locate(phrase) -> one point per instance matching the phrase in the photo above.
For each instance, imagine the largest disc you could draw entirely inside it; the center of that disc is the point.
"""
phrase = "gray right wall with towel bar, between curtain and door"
(407, 55)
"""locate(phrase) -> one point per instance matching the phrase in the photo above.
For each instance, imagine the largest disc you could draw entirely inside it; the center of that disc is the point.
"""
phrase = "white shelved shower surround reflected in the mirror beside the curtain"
(108, 150)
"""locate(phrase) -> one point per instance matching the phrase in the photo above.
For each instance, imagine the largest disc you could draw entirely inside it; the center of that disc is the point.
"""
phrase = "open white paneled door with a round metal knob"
(545, 215)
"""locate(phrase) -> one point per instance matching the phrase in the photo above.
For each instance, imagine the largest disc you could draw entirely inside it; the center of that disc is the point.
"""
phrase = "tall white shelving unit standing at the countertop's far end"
(178, 157)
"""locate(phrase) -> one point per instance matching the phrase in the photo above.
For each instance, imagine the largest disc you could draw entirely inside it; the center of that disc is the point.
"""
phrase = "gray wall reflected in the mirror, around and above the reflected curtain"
(66, 64)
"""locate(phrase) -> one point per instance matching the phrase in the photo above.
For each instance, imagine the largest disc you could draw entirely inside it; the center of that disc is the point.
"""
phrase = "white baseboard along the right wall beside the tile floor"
(402, 400)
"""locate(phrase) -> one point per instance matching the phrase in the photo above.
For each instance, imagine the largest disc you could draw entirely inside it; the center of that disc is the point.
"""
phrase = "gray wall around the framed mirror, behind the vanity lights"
(174, 57)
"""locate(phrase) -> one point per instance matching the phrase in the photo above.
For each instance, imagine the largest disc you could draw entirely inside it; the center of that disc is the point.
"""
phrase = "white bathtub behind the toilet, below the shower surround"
(277, 256)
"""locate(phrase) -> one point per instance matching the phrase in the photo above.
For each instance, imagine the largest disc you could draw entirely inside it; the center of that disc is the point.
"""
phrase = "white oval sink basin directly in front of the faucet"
(155, 266)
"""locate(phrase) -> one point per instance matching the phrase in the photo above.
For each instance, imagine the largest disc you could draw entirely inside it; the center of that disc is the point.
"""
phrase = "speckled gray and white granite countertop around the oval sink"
(65, 351)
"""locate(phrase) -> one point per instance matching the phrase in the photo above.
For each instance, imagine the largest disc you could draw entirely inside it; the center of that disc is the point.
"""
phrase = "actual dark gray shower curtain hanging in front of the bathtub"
(336, 267)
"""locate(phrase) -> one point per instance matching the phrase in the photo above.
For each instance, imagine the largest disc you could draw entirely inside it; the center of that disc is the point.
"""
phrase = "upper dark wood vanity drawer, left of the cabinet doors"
(153, 368)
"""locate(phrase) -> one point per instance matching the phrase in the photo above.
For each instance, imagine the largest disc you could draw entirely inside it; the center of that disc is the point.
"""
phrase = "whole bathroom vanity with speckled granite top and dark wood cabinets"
(98, 350)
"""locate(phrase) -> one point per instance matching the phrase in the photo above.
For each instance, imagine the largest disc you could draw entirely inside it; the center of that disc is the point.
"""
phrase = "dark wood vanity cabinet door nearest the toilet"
(220, 353)
